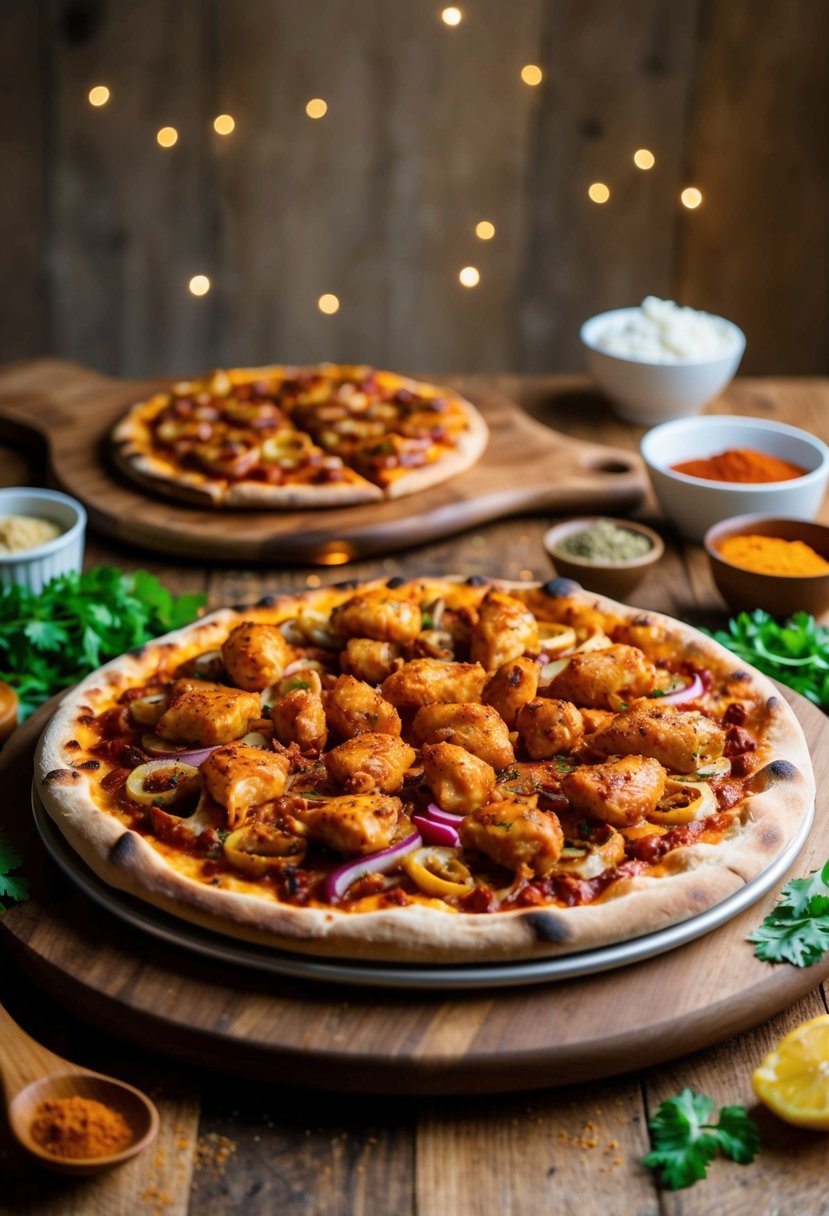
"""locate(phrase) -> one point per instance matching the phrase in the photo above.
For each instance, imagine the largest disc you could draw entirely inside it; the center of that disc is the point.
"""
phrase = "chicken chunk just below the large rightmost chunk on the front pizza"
(618, 792)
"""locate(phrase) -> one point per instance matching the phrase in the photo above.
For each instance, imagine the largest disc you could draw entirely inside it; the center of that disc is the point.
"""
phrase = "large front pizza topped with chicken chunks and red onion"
(433, 770)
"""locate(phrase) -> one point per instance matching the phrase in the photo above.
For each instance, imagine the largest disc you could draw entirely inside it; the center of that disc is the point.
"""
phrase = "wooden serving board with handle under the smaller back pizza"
(527, 468)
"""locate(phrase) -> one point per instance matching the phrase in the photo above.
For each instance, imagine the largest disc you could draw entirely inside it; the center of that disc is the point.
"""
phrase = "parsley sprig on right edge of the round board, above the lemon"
(797, 931)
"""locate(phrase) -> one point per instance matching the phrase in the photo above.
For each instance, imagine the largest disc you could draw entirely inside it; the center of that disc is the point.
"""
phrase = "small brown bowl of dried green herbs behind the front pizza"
(607, 556)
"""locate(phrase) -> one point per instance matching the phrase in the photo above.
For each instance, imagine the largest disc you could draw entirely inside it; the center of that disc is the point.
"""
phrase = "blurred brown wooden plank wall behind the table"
(430, 130)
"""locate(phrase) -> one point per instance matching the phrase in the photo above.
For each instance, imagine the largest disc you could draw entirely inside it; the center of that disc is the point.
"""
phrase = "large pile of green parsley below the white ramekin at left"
(78, 622)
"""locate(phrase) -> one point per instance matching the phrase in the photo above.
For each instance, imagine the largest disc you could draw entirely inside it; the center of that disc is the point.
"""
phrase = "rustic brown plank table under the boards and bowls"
(232, 1146)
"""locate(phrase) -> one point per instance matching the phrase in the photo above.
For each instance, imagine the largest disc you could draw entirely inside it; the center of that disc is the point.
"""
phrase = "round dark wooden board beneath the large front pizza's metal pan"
(343, 1038)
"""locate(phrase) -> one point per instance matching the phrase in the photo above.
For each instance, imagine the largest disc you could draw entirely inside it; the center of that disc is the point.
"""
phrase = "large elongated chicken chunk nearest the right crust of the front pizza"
(683, 740)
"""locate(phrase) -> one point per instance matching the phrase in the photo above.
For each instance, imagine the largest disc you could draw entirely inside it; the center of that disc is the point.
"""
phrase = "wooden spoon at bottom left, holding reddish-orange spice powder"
(32, 1074)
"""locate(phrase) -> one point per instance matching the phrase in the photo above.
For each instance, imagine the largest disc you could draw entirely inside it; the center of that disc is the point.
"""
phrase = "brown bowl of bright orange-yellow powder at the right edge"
(776, 564)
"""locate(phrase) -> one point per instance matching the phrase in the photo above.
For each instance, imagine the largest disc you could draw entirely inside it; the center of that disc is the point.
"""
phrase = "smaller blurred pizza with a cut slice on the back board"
(298, 437)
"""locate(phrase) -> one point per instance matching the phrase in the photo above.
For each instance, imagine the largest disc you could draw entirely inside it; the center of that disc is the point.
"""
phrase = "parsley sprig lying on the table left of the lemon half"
(685, 1141)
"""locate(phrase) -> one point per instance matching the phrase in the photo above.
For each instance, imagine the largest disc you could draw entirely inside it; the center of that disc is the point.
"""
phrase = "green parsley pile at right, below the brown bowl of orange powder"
(797, 652)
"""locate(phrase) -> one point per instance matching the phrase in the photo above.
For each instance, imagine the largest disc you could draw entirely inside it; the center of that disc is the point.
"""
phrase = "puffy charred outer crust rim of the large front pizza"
(700, 876)
